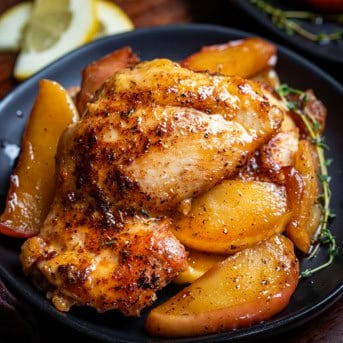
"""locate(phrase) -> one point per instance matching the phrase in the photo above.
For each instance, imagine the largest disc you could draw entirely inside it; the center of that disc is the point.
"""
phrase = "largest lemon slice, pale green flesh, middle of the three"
(55, 28)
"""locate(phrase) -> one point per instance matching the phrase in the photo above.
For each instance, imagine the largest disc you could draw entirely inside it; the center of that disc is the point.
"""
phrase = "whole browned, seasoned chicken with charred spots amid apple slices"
(155, 135)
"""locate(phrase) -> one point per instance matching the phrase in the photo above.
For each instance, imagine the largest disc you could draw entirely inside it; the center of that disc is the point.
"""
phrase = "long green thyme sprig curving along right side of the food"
(323, 235)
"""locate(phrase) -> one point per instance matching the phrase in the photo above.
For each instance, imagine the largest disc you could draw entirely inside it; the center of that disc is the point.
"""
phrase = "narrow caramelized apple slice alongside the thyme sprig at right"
(302, 190)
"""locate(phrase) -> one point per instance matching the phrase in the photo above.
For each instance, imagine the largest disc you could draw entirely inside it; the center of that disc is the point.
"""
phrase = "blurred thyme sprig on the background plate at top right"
(285, 21)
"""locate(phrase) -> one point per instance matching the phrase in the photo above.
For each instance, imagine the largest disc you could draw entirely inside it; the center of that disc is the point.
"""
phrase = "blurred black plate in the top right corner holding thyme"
(332, 51)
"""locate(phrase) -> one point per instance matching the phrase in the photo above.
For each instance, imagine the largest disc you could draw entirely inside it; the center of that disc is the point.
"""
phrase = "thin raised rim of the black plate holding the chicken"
(267, 328)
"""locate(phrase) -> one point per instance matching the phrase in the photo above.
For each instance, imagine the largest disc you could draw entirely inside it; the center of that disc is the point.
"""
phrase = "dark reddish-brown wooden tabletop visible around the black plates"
(327, 326)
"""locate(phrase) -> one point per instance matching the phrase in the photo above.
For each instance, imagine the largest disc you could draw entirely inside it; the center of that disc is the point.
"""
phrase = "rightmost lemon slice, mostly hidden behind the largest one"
(112, 19)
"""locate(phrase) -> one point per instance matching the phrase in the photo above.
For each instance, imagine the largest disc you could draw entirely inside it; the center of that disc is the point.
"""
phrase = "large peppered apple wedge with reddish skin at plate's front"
(245, 289)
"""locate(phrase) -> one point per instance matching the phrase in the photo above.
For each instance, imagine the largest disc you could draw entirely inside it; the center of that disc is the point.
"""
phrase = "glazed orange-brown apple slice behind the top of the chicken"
(245, 58)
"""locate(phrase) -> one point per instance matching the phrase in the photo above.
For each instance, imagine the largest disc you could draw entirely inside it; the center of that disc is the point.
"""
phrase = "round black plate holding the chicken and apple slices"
(176, 42)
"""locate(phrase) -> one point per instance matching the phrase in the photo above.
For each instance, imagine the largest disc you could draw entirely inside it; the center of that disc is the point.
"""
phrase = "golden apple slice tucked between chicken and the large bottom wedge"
(232, 216)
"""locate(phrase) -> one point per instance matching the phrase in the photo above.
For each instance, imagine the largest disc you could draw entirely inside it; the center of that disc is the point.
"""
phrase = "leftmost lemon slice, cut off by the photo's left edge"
(12, 23)
